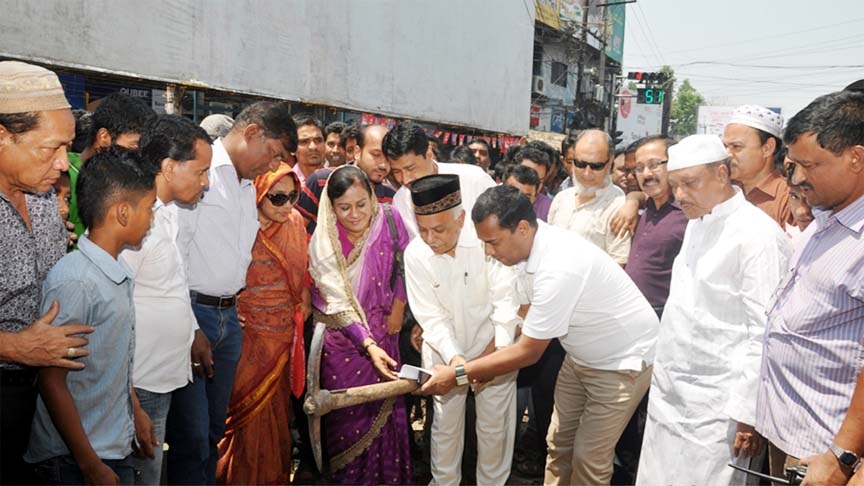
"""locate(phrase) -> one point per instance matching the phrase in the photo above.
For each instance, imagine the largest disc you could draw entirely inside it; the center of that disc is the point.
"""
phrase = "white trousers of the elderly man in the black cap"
(496, 433)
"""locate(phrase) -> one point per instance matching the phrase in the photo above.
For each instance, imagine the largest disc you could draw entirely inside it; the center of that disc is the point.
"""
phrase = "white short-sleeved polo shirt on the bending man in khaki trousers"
(581, 296)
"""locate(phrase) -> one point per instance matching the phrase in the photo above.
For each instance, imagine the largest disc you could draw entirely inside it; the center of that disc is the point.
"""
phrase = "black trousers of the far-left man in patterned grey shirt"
(17, 407)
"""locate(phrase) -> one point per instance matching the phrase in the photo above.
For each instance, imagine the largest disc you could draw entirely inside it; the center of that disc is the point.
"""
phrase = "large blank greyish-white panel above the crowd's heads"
(449, 61)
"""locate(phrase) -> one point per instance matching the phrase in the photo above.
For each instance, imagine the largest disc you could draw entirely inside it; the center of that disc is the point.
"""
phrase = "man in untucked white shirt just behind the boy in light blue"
(165, 328)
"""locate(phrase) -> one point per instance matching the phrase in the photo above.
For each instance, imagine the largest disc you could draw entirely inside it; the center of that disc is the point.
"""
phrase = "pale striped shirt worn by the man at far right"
(814, 344)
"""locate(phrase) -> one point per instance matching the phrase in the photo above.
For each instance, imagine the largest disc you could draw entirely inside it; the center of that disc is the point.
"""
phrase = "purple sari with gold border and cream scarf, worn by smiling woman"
(368, 443)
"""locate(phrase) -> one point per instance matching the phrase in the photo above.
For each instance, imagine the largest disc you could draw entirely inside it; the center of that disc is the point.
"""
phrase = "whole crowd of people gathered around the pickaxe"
(162, 282)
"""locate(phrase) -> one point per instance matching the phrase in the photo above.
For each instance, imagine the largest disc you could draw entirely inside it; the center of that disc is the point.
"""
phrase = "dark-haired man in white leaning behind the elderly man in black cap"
(405, 147)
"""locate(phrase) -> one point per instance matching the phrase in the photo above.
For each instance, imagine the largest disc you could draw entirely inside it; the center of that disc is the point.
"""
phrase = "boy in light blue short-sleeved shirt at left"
(84, 426)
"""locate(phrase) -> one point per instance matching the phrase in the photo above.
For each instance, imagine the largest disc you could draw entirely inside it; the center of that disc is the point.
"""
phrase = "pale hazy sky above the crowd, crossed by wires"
(791, 50)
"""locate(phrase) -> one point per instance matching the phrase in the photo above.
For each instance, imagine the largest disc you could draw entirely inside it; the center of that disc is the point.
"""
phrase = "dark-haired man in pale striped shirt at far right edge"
(811, 373)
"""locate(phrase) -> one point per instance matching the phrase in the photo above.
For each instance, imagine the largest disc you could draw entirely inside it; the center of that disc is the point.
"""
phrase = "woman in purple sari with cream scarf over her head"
(361, 301)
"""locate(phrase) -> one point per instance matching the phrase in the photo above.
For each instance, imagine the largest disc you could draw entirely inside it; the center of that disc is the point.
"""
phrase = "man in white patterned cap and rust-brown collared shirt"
(752, 140)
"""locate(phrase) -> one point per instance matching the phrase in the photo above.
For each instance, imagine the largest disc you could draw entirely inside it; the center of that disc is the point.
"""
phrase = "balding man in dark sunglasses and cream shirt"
(588, 207)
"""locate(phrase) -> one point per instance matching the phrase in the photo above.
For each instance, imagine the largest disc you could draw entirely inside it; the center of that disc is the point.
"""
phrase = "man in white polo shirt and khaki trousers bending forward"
(580, 295)
